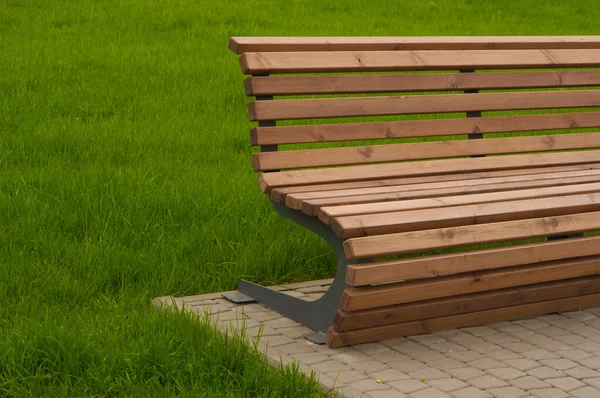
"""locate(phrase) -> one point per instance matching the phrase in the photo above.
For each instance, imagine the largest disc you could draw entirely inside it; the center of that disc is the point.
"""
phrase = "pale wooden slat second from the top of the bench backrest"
(367, 61)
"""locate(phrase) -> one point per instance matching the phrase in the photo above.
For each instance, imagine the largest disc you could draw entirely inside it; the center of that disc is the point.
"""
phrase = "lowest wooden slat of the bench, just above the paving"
(335, 339)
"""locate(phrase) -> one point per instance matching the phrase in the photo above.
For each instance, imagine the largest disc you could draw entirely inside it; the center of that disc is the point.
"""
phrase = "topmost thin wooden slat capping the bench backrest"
(241, 45)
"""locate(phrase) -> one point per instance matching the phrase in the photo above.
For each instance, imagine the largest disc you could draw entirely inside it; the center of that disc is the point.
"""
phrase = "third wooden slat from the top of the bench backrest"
(390, 83)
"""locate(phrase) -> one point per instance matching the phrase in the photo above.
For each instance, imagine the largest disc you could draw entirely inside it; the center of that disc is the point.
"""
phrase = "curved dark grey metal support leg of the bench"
(316, 315)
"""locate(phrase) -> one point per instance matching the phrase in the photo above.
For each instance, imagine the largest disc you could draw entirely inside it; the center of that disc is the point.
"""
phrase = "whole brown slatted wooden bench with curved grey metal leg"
(451, 219)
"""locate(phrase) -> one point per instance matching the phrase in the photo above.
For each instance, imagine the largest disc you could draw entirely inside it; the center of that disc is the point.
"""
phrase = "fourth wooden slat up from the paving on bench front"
(363, 274)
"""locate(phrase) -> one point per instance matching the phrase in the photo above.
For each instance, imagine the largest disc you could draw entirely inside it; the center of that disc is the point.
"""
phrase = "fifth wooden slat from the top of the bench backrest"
(420, 128)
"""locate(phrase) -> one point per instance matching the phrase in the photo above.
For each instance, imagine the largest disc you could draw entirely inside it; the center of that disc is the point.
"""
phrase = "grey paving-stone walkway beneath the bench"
(551, 356)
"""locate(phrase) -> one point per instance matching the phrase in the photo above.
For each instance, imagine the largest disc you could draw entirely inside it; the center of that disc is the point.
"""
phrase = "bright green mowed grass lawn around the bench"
(125, 174)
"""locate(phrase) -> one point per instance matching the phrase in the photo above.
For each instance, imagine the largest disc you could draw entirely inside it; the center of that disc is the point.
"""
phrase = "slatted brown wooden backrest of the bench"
(552, 83)
